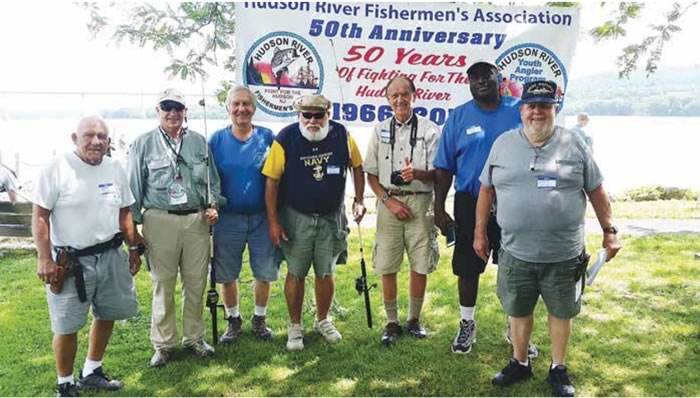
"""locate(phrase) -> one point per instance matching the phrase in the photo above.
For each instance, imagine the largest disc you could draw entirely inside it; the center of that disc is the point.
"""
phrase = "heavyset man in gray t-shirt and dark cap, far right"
(541, 175)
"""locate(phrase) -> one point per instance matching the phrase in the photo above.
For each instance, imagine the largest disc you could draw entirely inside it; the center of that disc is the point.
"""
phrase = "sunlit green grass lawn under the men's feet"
(638, 334)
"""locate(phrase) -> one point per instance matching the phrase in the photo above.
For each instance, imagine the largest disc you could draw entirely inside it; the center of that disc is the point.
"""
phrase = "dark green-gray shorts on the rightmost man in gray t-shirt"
(520, 284)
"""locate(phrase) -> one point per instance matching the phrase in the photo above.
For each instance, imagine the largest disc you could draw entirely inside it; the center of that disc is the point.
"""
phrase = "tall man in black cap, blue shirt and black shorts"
(466, 140)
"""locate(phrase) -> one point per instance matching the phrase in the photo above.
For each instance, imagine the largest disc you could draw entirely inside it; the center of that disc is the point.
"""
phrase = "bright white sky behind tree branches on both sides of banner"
(52, 51)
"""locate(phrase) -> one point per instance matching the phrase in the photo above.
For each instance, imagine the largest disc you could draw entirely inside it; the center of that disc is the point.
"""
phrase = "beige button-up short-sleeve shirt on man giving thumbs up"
(378, 161)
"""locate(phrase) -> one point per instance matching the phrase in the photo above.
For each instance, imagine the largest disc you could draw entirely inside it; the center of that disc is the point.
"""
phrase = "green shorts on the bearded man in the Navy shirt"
(315, 239)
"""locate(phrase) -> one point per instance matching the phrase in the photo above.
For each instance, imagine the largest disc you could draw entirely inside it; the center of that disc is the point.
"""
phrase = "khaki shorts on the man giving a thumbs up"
(418, 237)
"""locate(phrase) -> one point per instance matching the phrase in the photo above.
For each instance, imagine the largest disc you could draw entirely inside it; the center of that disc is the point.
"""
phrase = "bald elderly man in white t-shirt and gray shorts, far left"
(80, 219)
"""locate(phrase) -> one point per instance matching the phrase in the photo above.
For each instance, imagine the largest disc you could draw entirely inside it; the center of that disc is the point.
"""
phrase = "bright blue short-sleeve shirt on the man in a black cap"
(467, 138)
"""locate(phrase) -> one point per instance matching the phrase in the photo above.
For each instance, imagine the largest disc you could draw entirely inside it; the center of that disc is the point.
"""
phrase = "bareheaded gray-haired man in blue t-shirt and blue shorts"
(239, 152)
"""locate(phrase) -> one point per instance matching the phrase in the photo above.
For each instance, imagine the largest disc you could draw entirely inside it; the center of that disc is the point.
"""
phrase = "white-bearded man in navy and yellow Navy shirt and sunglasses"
(304, 195)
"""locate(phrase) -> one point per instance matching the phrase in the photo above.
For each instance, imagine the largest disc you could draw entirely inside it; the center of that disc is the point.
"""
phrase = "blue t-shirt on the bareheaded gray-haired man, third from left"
(239, 164)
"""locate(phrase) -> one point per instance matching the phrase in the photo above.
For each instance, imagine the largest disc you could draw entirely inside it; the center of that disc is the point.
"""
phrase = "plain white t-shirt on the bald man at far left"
(84, 200)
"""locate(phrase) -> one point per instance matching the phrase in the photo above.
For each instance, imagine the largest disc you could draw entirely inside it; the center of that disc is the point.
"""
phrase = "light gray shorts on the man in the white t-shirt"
(109, 287)
